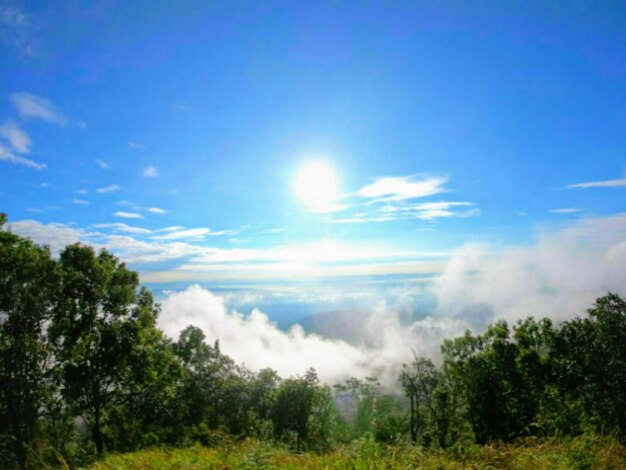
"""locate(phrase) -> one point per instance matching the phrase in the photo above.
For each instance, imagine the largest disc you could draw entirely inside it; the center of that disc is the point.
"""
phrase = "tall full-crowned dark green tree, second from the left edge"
(101, 328)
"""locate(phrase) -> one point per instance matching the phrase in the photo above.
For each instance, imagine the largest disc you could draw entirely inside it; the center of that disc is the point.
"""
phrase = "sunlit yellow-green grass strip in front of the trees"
(585, 452)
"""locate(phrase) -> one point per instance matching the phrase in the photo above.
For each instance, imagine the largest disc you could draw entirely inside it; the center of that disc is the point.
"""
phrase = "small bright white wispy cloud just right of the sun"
(401, 188)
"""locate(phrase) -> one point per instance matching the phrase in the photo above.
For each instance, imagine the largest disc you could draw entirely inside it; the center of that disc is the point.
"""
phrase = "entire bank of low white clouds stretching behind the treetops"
(559, 276)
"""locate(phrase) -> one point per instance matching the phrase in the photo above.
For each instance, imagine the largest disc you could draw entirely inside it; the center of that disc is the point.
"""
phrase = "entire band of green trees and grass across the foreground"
(84, 371)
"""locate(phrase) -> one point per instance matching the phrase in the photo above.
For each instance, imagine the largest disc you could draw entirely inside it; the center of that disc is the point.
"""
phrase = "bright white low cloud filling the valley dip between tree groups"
(255, 341)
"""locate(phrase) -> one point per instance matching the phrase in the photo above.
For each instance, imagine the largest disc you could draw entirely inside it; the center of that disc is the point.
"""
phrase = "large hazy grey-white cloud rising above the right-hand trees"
(559, 275)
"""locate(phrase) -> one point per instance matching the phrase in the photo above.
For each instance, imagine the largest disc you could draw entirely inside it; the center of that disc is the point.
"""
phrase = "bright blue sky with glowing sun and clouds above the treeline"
(445, 162)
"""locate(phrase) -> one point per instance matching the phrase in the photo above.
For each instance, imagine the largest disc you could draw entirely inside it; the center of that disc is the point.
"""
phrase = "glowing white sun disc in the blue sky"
(316, 186)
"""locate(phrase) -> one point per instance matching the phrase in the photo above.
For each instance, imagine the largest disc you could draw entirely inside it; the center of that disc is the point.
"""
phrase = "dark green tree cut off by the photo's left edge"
(28, 284)
